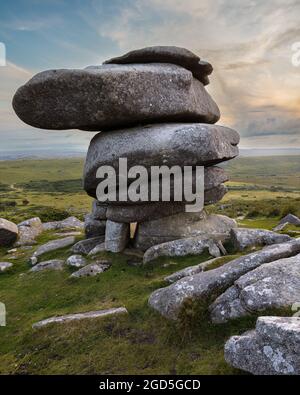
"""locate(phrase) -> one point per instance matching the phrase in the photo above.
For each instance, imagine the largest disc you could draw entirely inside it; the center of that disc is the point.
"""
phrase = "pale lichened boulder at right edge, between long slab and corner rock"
(270, 287)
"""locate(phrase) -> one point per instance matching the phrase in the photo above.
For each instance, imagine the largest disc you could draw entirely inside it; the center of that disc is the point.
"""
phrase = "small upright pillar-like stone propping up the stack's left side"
(116, 236)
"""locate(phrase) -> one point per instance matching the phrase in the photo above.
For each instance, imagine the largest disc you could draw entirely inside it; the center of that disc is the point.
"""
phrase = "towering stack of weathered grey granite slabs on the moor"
(152, 108)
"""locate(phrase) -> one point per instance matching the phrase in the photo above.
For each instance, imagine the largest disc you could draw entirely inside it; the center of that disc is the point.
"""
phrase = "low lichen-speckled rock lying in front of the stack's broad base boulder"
(182, 247)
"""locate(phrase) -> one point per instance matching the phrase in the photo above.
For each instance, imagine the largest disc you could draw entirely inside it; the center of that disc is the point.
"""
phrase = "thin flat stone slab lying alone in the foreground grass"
(80, 316)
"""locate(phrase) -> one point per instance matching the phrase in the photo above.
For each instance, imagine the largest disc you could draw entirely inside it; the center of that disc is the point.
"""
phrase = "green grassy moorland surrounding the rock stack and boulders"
(141, 342)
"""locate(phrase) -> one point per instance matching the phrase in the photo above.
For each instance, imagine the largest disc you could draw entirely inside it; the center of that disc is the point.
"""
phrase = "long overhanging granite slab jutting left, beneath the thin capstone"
(112, 96)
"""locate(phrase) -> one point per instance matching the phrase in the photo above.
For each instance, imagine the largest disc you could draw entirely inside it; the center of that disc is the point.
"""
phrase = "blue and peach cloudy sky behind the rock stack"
(250, 44)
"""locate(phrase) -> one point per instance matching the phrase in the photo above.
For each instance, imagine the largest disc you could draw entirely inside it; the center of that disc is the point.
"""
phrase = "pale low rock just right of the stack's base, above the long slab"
(243, 238)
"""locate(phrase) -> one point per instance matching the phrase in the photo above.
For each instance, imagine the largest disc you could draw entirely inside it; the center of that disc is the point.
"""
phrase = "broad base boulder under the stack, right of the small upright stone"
(181, 226)
